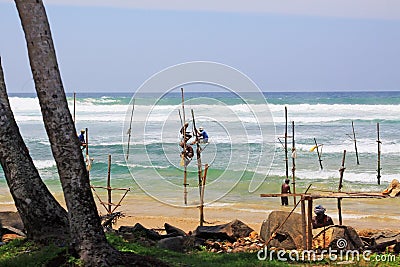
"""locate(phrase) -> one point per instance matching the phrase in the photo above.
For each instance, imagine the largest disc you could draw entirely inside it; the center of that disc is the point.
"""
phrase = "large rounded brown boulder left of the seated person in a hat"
(289, 235)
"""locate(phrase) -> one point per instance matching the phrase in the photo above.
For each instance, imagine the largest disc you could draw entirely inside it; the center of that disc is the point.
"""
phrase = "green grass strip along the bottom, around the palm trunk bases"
(25, 253)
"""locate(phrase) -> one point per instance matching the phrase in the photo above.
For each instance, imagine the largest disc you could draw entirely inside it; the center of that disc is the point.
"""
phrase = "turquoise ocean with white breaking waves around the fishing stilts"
(245, 154)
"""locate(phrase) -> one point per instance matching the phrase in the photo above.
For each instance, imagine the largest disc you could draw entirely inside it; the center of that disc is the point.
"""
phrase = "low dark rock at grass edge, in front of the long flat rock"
(180, 243)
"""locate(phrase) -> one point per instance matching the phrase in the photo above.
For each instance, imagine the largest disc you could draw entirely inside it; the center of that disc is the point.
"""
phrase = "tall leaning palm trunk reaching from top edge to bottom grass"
(87, 236)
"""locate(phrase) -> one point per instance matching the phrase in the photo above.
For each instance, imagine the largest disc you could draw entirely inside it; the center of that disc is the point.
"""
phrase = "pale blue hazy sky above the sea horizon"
(285, 45)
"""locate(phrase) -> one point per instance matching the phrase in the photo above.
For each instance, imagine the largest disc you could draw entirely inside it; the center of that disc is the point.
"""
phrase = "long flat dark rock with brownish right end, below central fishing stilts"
(229, 231)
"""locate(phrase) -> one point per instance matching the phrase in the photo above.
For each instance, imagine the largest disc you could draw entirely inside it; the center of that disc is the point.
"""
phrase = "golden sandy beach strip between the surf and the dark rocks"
(140, 208)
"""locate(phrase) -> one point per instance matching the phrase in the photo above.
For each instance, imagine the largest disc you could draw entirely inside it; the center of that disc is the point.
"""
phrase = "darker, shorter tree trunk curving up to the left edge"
(42, 215)
